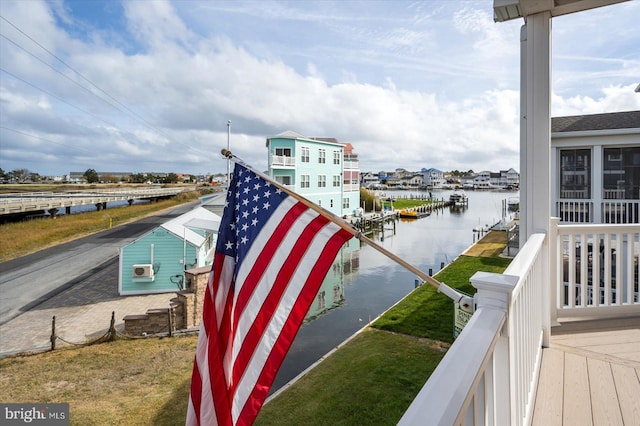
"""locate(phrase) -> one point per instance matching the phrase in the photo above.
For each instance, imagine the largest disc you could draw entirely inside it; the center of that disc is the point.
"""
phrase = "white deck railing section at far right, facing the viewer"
(597, 270)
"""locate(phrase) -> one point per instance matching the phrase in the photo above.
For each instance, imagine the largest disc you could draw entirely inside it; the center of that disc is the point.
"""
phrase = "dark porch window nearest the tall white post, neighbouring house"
(575, 173)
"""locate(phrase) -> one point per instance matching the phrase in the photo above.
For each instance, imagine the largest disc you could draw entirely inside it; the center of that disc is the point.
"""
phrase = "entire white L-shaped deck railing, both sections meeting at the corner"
(490, 373)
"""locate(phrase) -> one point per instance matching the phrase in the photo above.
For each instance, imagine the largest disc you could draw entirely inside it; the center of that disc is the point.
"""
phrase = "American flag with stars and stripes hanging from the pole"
(271, 257)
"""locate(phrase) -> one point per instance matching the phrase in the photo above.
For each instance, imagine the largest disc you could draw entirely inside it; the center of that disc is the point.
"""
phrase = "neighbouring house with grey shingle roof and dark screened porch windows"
(596, 165)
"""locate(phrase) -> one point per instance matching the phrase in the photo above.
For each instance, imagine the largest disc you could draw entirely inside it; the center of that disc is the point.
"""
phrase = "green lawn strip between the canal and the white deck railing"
(373, 378)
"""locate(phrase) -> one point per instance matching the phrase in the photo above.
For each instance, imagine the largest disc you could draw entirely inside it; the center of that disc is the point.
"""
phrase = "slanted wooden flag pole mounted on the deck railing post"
(464, 301)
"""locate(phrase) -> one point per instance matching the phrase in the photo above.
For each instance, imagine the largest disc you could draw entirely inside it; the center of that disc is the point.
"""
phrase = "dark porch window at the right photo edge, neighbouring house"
(621, 173)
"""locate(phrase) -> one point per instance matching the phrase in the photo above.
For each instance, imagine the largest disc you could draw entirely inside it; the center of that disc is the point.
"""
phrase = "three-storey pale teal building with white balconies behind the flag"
(322, 170)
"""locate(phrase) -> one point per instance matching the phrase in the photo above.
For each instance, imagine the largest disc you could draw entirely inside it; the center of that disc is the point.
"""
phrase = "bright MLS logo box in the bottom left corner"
(38, 414)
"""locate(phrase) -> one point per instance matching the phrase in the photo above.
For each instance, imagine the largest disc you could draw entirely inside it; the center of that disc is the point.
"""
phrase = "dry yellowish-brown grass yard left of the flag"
(126, 382)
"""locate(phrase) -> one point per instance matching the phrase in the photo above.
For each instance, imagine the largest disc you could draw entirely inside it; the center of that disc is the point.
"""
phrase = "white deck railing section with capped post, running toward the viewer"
(489, 374)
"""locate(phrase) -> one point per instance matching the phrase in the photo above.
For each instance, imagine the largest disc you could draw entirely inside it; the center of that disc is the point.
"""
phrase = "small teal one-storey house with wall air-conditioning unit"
(155, 262)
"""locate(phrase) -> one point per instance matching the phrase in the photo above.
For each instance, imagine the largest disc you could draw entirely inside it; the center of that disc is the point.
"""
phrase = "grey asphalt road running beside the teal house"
(30, 280)
